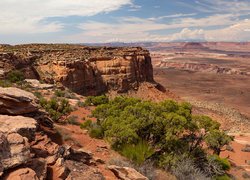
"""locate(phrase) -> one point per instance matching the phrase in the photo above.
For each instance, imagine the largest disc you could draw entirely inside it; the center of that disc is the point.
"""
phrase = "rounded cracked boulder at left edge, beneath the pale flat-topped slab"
(14, 150)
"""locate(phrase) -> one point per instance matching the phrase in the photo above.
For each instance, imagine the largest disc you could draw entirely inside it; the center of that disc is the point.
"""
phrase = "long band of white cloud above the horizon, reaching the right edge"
(132, 29)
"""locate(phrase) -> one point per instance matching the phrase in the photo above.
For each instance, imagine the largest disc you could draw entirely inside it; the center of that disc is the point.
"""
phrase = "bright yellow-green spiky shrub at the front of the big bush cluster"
(138, 153)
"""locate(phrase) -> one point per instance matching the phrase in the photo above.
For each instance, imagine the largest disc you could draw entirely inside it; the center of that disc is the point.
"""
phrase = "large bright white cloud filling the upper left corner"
(27, 16)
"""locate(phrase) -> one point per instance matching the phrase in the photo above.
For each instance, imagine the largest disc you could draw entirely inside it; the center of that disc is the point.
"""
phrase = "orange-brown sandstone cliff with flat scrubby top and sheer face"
(85, 70)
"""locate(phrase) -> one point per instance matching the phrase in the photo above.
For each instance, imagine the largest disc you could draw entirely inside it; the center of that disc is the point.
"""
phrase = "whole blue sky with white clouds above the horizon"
(102, 21)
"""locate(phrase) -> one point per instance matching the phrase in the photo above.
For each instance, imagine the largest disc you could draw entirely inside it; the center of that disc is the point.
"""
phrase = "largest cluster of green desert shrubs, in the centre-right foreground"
(165, 133)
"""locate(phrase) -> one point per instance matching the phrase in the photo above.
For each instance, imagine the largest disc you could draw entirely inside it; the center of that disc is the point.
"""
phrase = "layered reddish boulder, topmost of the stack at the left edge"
(14, 101)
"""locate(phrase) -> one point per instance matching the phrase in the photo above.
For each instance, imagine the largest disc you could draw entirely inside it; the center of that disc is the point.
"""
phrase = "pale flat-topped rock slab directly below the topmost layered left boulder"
(24, 126)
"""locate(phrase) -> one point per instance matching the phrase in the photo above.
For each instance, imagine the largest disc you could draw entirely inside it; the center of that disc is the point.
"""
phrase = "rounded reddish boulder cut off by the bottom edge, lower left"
(22, 174)
